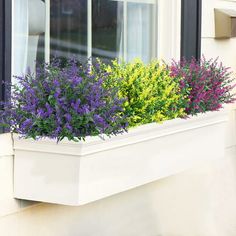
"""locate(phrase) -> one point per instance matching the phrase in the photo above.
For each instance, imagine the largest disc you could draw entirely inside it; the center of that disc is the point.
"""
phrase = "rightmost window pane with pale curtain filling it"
(140, 29)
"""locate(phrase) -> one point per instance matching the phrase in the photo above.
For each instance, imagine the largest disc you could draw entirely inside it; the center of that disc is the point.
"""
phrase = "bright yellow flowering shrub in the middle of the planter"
(151, 94)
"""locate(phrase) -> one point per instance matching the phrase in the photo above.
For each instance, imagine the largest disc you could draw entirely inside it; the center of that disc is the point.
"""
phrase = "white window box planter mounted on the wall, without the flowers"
(78, 173)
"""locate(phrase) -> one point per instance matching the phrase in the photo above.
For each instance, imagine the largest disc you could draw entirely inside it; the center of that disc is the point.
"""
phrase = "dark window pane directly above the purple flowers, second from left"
(68, 28)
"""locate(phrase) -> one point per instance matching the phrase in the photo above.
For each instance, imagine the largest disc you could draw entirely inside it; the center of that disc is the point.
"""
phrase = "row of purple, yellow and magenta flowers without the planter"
(73, 100)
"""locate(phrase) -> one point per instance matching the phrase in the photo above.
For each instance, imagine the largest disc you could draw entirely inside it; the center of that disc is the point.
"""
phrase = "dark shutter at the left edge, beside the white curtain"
(5, 45)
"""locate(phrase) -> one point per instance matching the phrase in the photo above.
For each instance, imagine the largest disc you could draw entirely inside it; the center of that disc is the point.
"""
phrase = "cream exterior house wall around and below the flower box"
(200, 201)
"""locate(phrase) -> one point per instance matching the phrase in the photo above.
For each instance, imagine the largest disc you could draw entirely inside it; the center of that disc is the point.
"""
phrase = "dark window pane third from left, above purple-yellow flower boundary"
(107, 27)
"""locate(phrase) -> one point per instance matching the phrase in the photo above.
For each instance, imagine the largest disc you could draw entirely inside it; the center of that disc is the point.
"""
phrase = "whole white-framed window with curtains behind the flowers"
(106, 29)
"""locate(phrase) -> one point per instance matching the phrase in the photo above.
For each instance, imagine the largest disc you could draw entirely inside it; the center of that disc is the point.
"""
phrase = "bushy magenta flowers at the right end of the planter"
(207, 83)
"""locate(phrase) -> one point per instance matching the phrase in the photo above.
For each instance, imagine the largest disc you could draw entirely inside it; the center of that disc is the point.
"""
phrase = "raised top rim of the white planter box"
(134, 135)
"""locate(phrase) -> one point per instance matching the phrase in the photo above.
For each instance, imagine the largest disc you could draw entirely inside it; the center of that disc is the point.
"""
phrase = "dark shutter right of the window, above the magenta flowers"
(191, 15)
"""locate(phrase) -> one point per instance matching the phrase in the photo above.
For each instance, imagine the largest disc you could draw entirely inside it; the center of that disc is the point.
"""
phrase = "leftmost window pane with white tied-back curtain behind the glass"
(28, 26)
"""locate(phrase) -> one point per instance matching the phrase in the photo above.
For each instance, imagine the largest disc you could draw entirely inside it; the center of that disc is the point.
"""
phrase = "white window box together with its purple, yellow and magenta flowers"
(67, 101)
